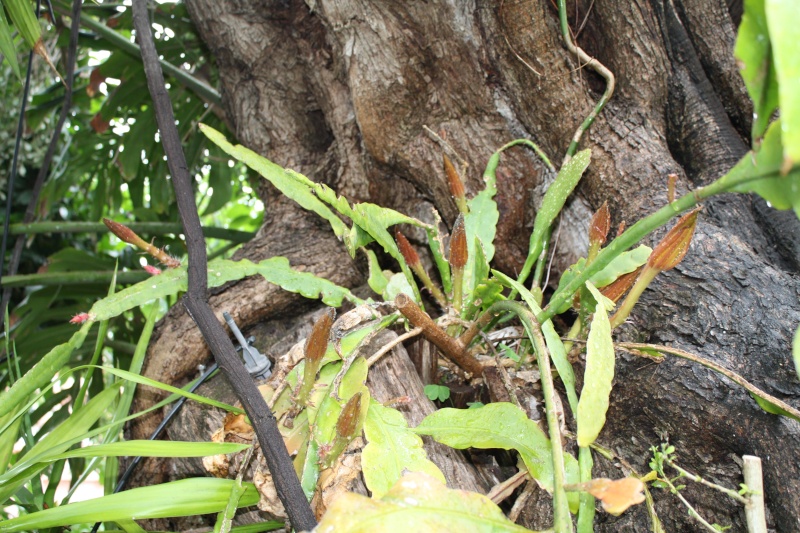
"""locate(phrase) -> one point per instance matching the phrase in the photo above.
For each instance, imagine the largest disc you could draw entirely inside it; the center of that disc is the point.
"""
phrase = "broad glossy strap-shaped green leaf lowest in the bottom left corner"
(186, 497)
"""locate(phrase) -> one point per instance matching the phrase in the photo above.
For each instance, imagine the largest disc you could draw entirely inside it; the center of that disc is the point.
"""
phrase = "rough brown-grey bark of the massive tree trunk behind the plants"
(340, 90)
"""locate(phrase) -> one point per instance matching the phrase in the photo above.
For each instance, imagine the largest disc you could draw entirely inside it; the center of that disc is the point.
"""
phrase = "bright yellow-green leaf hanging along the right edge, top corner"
(783, 19)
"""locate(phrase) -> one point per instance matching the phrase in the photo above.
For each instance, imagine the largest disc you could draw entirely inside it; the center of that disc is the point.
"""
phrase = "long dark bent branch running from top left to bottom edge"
(196, 299)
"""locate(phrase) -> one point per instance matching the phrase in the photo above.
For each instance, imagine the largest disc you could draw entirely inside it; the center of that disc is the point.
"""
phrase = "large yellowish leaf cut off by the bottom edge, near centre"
(417, 502)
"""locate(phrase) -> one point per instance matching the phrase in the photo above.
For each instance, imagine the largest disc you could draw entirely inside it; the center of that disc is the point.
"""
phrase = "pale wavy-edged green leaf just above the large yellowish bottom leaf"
(391, 449)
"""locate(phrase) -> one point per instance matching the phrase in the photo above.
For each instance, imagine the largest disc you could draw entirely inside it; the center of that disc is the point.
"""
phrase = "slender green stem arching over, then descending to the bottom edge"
(562, 520)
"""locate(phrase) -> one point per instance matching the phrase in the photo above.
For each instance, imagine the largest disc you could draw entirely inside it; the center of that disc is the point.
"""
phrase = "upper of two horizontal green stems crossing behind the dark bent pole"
(151, 228)
